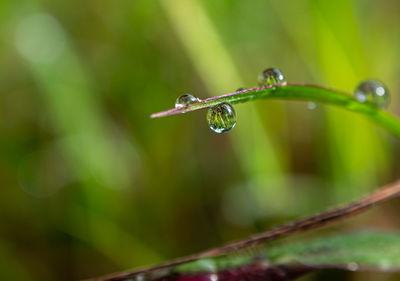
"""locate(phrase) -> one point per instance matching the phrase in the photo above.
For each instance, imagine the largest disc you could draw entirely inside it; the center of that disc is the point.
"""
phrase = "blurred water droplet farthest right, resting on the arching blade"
(374, 92)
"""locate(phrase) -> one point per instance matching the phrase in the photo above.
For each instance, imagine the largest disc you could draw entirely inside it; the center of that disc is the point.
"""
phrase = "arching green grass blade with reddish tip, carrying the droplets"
(306, 92)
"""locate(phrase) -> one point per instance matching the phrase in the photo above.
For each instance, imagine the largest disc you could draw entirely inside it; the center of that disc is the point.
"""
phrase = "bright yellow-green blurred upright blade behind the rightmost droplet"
(350, 160)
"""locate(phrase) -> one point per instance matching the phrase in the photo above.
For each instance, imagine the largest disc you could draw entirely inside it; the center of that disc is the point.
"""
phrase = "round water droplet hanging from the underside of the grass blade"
(221, 117)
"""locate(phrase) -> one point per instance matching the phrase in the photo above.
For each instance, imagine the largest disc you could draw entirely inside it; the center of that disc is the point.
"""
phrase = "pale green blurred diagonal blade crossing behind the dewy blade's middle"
(259, 157)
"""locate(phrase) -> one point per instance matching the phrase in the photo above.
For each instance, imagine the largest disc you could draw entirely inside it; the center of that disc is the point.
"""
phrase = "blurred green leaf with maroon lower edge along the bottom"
(364, 251)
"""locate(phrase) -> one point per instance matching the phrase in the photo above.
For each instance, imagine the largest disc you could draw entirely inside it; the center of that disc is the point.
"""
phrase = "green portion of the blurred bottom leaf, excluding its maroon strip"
(375, 251)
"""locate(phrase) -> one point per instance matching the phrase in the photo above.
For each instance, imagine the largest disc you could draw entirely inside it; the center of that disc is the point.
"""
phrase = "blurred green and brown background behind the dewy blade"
(91, 185)
